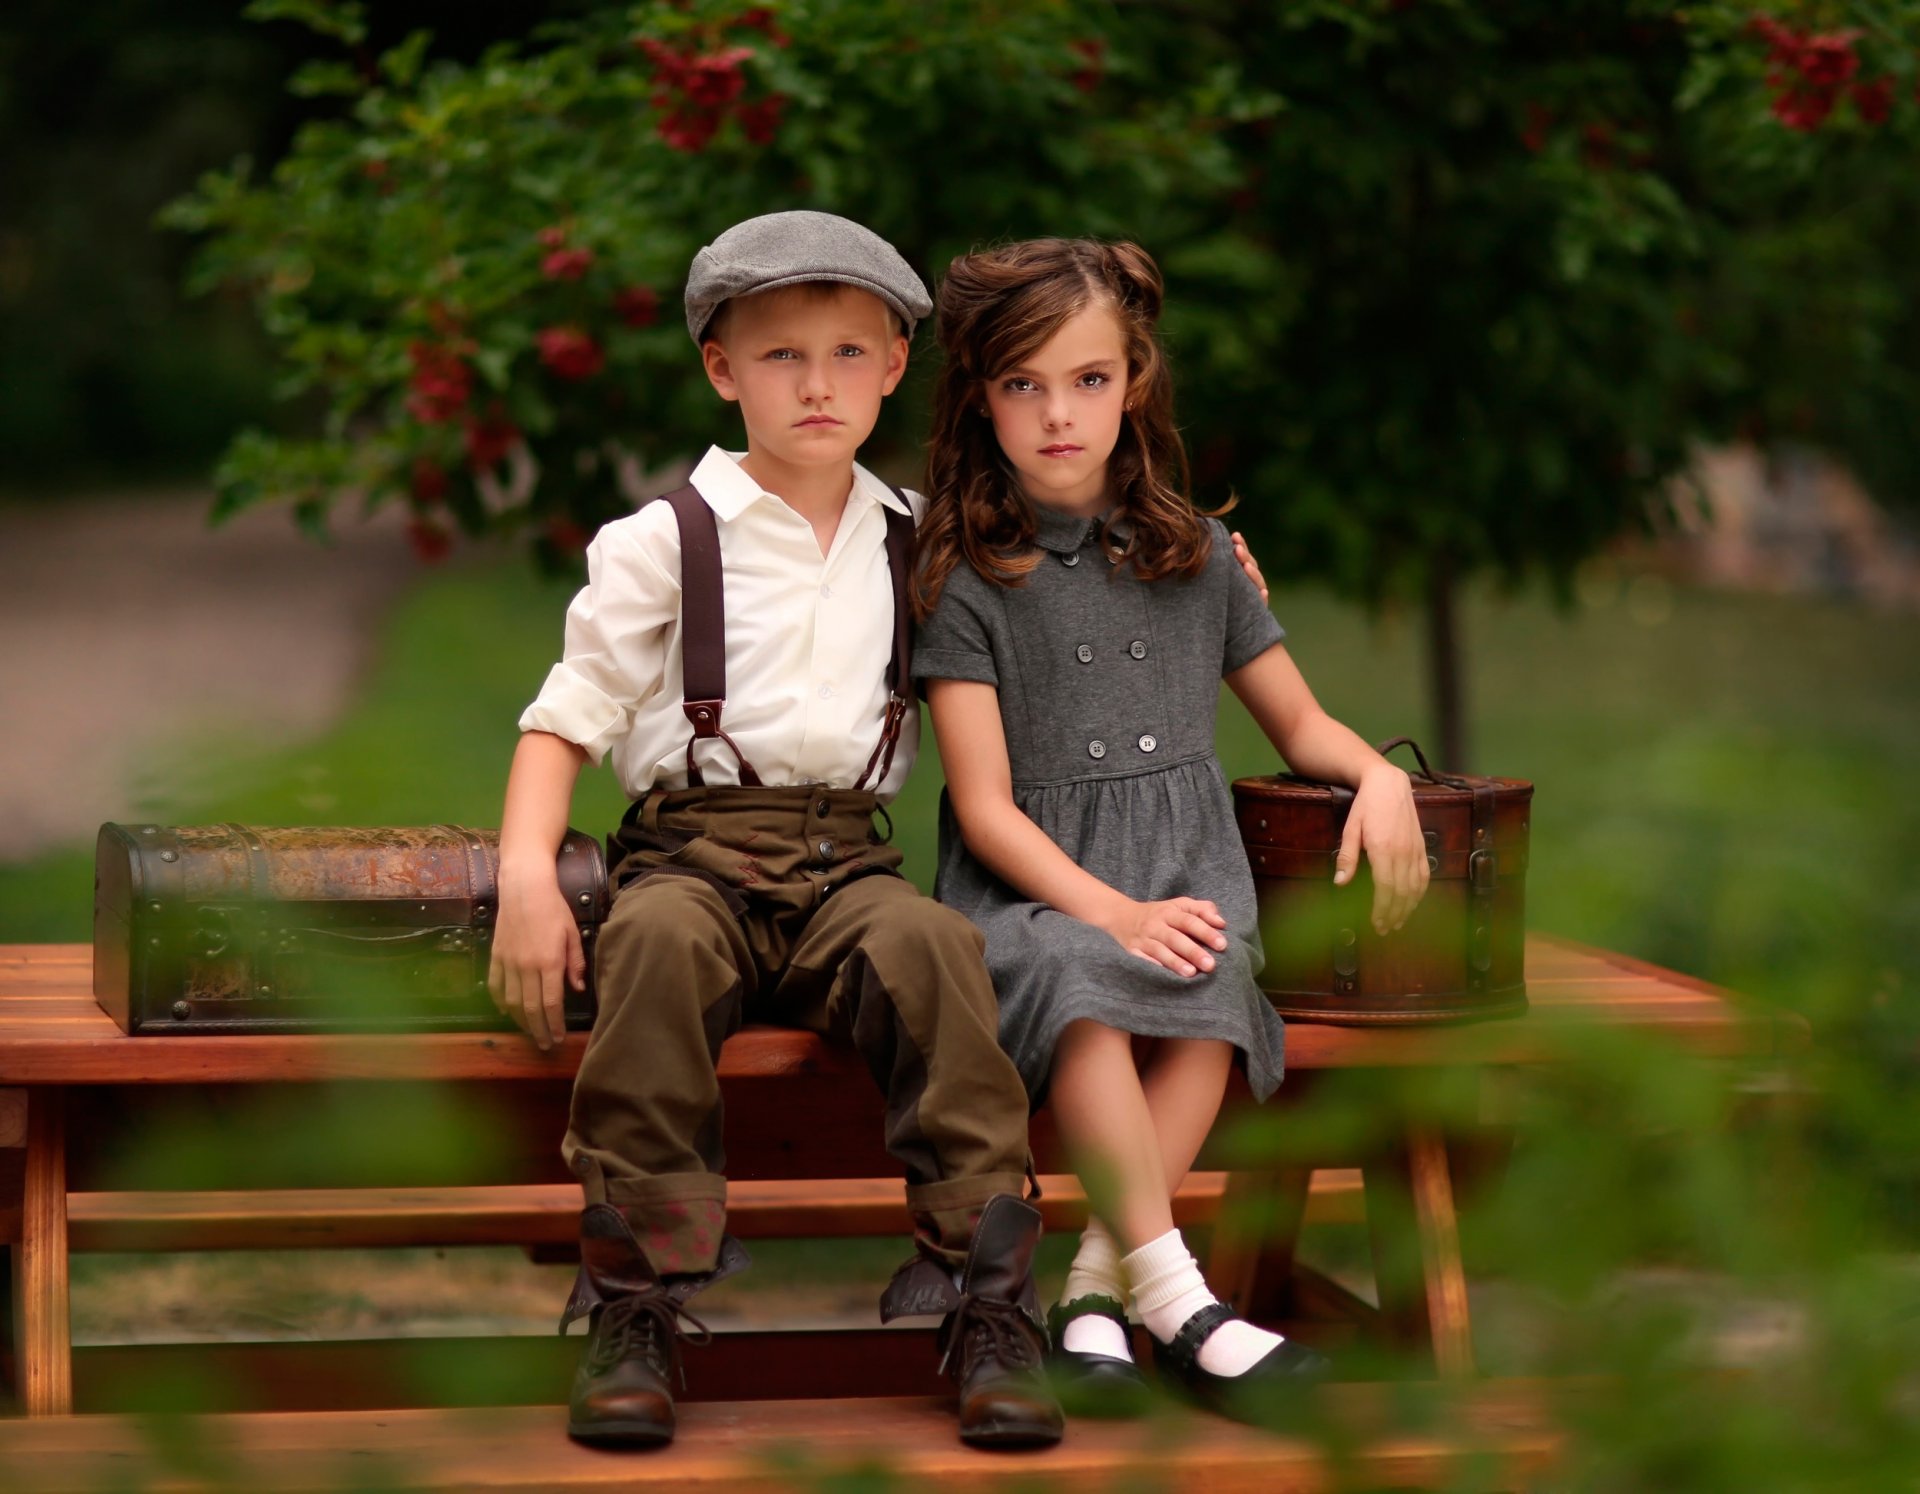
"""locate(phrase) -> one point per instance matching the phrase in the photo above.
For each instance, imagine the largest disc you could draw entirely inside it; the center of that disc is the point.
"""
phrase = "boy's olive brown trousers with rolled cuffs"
(780, 905)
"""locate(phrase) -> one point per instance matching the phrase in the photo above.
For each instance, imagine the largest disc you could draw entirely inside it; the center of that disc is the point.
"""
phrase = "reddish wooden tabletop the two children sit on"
(51, 1032)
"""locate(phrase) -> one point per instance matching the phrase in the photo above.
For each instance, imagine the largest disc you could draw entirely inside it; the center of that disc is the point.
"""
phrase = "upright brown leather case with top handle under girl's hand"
(1460, 955)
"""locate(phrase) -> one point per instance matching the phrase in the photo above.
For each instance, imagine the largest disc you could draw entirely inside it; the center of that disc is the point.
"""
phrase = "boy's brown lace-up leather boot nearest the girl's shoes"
(994, 1341)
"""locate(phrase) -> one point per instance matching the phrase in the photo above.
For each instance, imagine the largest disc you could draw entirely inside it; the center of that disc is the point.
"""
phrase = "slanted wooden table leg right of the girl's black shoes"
(1422, 1293)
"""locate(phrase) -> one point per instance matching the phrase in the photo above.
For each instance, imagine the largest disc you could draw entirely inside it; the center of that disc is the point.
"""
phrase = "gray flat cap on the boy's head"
(792, 249)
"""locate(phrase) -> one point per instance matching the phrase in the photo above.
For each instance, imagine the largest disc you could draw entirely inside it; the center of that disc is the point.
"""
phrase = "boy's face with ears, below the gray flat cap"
(809, 370)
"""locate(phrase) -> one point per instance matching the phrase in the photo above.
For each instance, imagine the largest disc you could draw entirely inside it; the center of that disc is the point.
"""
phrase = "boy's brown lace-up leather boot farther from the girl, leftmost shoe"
(636, 1322)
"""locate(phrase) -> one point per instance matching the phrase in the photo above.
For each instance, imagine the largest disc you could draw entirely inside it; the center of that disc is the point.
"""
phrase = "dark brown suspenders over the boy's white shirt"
(704, 635)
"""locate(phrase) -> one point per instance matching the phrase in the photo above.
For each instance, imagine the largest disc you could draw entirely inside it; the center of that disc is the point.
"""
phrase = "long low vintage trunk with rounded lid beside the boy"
(258, 930)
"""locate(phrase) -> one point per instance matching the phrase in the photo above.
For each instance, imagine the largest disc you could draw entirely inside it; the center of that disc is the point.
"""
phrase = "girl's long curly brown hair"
(996, 310)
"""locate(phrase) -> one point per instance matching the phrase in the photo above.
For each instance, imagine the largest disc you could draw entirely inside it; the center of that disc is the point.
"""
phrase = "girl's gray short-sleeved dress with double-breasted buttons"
(1109, 690)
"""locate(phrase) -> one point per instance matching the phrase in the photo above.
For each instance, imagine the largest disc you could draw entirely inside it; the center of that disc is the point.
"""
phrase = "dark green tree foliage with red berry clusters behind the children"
(1452, 287)
